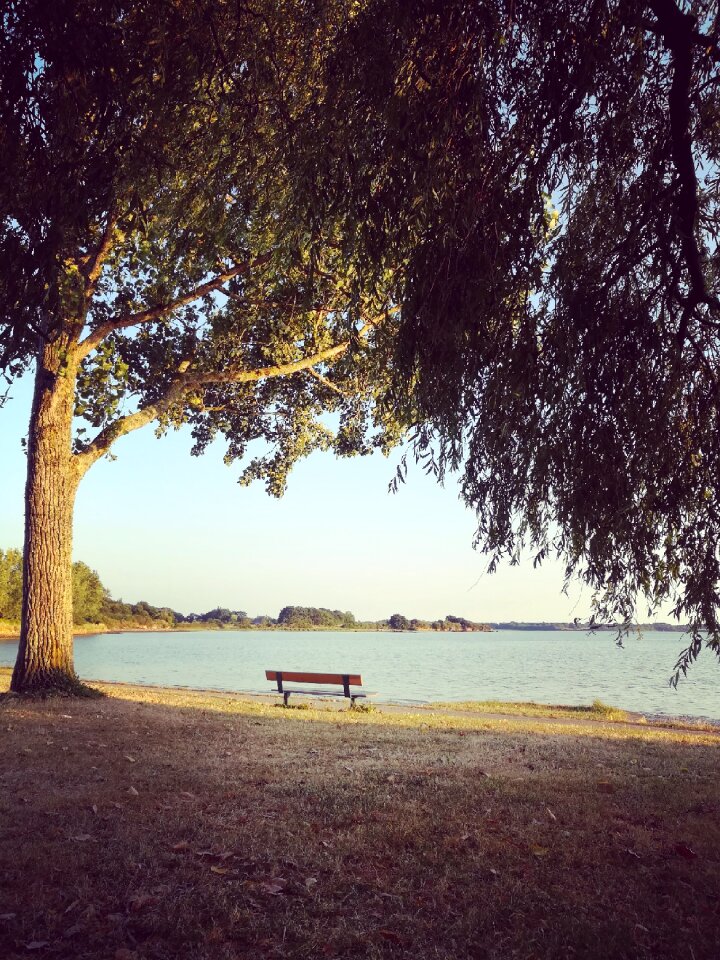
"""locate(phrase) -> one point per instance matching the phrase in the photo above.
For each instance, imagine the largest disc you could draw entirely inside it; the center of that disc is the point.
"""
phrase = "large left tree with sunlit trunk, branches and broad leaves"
(154, 267)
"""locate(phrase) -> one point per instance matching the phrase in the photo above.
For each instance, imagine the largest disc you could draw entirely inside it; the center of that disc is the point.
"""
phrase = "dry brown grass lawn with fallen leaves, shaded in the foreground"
(171, 824)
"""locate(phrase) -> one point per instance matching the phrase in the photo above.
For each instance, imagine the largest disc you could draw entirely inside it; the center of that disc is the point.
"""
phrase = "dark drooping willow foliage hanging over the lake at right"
(548, 175)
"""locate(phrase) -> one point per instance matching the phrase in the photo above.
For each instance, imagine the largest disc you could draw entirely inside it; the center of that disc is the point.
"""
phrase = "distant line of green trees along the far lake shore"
(92, 604)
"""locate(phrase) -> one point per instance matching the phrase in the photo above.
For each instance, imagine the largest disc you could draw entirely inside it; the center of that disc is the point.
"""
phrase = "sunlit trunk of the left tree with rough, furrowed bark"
(45, 656)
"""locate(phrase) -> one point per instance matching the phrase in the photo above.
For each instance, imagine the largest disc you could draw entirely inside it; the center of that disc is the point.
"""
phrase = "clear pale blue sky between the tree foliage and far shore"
(160, 525)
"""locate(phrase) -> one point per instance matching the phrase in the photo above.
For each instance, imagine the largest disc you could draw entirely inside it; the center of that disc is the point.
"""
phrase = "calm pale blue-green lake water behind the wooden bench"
(547, 667)
